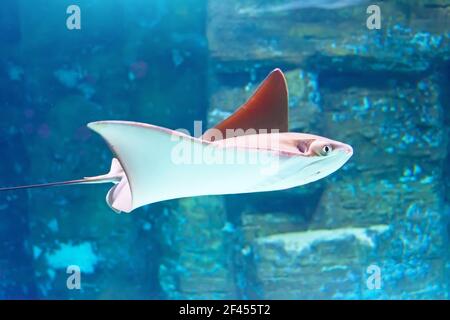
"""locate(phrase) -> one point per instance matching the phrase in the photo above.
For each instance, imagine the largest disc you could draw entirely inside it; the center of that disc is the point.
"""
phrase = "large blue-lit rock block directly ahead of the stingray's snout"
(398, 133)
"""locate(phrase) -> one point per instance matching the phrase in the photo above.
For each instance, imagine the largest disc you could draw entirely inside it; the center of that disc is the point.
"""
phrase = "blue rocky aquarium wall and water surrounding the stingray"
(384, 91)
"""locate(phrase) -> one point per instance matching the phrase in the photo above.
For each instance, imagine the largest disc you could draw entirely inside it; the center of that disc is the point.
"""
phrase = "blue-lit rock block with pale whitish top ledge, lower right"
(319, 264)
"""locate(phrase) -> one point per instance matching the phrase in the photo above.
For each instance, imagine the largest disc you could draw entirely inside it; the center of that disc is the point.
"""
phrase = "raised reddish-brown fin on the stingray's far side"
(267, 109)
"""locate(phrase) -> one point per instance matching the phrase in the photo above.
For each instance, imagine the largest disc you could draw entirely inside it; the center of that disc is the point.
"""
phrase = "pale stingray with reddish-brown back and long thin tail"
(250, 151)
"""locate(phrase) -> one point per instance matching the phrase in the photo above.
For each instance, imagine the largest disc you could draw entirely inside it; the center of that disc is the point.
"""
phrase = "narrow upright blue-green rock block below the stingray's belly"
(196, 251)
